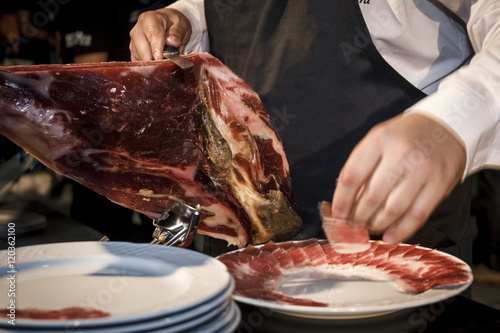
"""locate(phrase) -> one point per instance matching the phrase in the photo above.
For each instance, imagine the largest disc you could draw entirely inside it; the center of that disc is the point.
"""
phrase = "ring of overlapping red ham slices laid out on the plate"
(259, 271)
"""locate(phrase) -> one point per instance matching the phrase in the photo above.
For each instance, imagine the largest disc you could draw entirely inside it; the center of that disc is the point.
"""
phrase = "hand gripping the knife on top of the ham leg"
(156, 28)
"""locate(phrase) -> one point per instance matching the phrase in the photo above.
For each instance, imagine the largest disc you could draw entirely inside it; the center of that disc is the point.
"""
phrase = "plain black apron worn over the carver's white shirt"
(324, 85)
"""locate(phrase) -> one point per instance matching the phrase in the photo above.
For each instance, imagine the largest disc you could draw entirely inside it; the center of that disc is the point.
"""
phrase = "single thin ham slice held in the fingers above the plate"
(343, 237)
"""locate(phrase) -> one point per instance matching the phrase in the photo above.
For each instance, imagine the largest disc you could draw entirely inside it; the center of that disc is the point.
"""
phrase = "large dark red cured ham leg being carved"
(146, 134)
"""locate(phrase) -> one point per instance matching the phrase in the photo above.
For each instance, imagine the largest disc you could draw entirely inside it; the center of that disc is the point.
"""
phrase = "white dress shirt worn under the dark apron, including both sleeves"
(450, 49)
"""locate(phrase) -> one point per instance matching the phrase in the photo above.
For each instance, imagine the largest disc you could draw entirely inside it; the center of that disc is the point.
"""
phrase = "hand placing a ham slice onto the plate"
(397, 175)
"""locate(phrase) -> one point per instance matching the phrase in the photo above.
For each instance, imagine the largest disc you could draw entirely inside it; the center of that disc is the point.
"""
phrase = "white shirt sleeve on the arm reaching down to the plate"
(468, 100)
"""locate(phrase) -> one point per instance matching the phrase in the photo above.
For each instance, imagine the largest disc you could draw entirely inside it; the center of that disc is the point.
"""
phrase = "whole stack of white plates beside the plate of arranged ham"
(140, 288)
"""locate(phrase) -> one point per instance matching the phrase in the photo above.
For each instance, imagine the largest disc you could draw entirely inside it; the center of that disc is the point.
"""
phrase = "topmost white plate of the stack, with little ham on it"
(132, 282)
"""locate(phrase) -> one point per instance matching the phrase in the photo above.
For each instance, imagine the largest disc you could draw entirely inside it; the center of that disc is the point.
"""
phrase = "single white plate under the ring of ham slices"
(348, 299)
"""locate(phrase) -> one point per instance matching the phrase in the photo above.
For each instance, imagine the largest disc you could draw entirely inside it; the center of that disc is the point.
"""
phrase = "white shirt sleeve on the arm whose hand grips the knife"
(195, 12)
